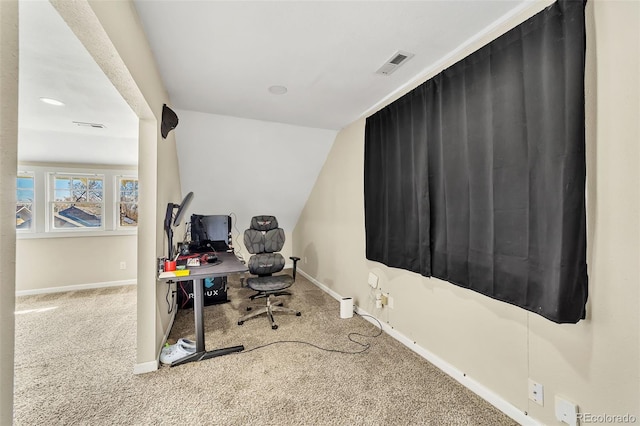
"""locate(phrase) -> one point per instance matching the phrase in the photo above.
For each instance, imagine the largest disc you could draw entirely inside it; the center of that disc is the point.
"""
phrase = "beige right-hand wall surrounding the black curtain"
(596, 363)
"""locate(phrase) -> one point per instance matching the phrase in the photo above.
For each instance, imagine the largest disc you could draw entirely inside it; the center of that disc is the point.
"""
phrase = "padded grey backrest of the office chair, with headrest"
(263, 240)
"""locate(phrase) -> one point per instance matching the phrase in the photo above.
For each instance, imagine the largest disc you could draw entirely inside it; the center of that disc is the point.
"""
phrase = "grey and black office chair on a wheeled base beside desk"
(263, 240)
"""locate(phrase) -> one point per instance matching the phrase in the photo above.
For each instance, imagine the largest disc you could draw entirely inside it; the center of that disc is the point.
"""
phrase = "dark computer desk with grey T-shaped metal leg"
(228, 264)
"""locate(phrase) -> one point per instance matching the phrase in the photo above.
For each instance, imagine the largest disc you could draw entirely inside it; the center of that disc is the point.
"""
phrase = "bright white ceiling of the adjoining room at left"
(54, 64)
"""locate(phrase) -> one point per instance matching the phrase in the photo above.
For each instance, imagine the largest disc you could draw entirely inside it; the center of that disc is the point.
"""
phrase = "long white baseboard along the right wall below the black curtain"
(471, 384)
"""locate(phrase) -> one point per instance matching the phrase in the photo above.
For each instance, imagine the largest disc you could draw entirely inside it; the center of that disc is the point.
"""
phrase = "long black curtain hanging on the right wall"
(477, 176)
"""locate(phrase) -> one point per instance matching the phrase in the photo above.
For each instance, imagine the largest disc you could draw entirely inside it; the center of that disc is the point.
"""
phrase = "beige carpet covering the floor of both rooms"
(75, 354)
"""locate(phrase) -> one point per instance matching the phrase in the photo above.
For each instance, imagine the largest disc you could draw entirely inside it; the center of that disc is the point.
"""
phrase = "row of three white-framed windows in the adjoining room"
(75, 201)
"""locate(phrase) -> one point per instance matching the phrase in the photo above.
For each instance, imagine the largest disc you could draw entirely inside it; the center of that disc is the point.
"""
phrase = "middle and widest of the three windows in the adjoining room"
(77, 201)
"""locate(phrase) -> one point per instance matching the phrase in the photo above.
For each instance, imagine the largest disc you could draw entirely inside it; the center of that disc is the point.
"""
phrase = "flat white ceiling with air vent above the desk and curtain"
(221, 56)
